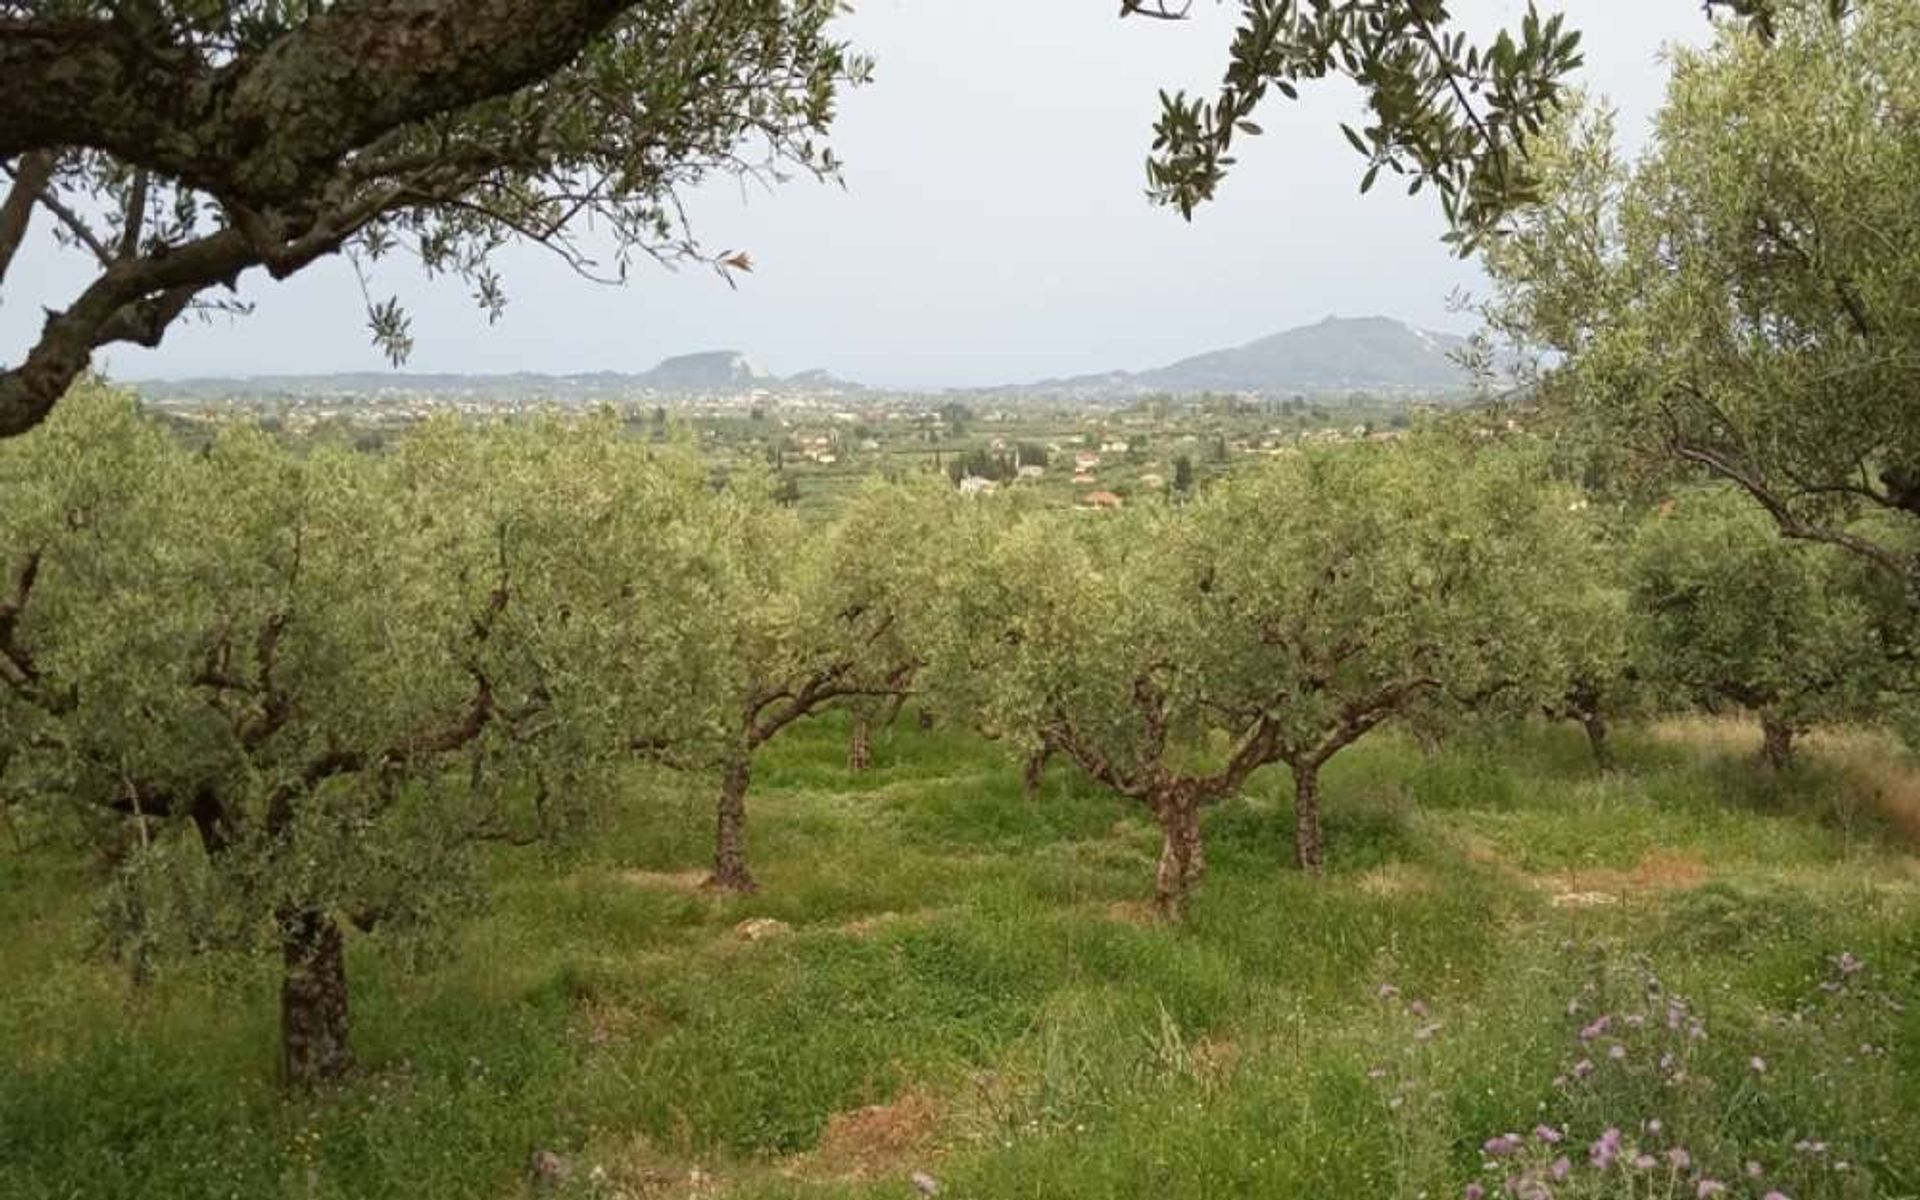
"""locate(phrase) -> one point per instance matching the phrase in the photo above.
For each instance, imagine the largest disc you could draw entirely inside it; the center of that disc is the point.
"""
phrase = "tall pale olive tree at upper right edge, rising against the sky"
(1740, 302)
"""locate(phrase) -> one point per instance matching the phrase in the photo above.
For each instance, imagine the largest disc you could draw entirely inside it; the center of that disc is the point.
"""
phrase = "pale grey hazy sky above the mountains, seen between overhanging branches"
(992, 226)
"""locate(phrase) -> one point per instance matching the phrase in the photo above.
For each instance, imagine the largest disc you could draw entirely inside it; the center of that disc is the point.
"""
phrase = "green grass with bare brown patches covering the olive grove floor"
(969, 988)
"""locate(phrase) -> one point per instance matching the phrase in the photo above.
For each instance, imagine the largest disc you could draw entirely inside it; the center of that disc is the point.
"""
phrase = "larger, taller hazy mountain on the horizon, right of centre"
(1339, 354)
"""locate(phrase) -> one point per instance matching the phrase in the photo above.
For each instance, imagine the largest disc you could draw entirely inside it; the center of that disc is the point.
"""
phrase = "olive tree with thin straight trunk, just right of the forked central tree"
(1368, 583)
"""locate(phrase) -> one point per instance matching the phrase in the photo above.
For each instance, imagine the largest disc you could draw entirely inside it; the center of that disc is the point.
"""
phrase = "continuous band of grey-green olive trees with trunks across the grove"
(297, 692)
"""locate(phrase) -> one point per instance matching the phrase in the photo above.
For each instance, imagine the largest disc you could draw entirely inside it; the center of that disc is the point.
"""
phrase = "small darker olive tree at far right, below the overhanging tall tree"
(1729, 613)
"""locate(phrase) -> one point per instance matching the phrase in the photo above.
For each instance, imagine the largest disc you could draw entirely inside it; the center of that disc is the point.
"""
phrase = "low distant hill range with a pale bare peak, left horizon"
(709, 373)
